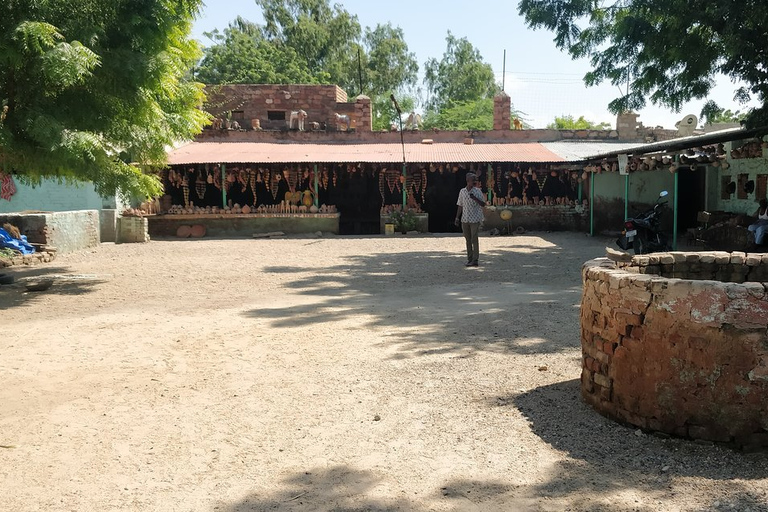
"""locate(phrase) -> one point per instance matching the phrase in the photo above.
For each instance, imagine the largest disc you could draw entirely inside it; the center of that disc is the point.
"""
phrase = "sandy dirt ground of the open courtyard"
(348, 374)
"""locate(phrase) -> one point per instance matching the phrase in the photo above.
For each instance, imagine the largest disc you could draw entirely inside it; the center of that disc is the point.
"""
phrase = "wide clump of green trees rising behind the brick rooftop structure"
(314, 42)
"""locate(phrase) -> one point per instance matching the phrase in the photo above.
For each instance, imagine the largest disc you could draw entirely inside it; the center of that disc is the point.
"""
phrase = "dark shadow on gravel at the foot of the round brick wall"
(606, 457)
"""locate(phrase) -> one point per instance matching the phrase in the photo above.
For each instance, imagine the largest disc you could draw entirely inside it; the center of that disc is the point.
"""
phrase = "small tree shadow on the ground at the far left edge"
(64, 283)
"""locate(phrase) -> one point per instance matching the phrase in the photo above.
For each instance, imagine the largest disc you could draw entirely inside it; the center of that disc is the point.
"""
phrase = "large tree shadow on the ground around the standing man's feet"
(522, 299)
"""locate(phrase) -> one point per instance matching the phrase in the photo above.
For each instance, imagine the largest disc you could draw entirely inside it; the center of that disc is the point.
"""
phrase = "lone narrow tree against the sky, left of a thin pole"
(461, 76)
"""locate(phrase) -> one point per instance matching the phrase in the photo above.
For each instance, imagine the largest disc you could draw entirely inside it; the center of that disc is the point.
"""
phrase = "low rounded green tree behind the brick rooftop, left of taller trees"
(241, 55)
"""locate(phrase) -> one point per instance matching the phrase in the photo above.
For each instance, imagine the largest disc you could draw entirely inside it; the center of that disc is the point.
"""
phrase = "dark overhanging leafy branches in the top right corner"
(662, 50)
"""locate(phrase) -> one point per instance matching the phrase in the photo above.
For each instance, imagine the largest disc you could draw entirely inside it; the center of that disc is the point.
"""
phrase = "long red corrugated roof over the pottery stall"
(266, 152)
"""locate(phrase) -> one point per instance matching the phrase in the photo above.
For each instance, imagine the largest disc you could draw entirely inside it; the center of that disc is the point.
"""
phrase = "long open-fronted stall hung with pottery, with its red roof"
(356, 188)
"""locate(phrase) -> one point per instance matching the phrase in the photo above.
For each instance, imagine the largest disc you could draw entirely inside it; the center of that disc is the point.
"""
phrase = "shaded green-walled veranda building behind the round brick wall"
(714, 182)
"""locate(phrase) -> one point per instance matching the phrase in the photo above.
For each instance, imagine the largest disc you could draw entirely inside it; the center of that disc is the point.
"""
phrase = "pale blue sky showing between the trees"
(542, 81)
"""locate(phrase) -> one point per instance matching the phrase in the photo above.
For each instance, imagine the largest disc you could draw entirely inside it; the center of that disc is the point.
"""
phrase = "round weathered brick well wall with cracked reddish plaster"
(668, 348)
